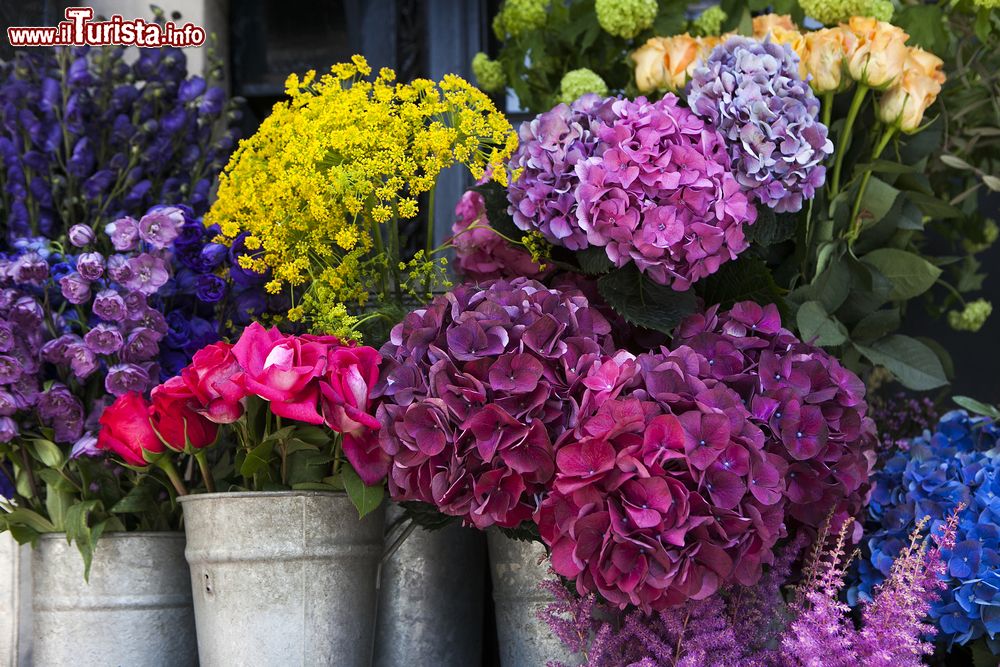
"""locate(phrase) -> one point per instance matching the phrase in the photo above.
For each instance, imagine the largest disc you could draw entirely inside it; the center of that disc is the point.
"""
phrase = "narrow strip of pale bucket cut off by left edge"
(15, 603)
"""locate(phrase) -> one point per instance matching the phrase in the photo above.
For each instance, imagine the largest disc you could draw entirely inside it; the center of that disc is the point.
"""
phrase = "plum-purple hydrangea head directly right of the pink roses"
(475, 389)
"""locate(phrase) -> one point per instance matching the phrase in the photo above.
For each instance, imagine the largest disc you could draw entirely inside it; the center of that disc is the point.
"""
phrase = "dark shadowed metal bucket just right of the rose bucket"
(431, 598)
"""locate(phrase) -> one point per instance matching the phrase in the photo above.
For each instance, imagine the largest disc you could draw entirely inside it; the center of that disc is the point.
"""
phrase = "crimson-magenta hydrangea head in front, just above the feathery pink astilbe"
(664, 492)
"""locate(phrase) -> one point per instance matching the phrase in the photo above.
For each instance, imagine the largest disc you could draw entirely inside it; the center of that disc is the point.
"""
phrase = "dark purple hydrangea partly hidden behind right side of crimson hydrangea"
(810, 408)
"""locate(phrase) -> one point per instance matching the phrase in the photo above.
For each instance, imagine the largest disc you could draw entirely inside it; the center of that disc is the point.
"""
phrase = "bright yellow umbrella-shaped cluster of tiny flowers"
(344, 154)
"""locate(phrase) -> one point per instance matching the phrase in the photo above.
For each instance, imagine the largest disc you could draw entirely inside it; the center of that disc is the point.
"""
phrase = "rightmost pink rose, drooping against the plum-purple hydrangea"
(351, 374)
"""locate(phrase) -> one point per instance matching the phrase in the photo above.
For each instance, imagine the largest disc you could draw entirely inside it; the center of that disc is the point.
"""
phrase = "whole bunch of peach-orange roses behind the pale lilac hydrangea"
(863, 50)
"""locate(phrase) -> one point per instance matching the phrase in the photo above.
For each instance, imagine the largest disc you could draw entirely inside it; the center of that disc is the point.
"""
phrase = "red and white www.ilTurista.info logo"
(79, 30)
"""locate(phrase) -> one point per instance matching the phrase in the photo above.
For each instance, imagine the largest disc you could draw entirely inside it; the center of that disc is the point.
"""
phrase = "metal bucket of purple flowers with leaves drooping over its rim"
(135, 610)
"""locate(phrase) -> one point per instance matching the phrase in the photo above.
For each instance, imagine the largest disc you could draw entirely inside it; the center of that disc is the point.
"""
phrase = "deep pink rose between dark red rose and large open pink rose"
(211, 376)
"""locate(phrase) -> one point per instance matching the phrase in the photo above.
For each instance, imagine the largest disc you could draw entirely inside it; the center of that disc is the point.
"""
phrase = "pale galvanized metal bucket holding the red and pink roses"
(282, 578)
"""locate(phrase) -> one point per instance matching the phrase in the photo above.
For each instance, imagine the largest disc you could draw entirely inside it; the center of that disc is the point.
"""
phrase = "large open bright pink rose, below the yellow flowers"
(284, 370)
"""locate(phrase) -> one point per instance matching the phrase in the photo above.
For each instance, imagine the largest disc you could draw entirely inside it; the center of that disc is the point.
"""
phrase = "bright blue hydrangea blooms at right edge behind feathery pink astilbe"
(958, 463)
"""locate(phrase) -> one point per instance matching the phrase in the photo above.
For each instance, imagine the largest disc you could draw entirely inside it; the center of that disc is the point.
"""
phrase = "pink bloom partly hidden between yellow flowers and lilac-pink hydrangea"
(482, 254)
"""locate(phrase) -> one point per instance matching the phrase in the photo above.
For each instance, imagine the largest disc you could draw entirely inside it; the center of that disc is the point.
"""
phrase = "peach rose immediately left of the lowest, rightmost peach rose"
(876, 59)
